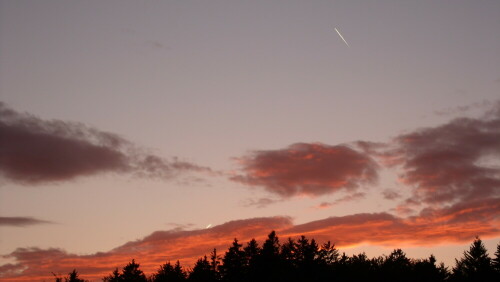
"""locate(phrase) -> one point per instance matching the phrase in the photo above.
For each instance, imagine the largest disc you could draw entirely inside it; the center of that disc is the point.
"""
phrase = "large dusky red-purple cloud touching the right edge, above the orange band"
(455, 162)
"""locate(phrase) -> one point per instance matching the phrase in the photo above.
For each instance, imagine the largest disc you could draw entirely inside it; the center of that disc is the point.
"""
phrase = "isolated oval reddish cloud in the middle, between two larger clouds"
(308, 169)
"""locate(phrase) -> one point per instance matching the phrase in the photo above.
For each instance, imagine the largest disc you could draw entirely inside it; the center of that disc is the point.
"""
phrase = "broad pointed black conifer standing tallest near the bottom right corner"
(475, 265)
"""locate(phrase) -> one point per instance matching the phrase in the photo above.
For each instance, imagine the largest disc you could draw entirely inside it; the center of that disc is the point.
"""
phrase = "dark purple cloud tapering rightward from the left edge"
(34, 151)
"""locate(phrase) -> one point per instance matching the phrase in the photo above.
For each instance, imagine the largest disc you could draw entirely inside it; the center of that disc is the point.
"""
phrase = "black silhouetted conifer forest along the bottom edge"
(305, 260)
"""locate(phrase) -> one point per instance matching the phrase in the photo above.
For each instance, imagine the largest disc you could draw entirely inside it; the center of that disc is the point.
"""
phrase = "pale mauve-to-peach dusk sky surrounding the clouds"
(207, 84)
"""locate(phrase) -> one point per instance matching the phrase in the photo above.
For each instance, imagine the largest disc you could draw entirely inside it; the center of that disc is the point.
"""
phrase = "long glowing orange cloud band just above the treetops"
(456, 223)
